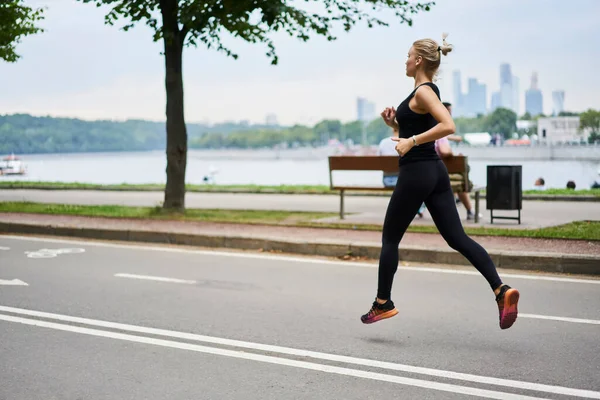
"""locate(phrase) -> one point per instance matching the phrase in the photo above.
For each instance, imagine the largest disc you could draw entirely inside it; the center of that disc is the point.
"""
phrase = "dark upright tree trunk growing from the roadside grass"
(176, 129)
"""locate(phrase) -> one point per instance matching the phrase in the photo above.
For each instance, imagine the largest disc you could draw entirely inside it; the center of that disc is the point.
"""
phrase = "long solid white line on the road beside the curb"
(307, 260)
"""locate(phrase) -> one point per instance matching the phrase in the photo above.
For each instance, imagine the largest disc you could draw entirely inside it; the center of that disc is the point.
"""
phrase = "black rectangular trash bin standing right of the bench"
(504, 190)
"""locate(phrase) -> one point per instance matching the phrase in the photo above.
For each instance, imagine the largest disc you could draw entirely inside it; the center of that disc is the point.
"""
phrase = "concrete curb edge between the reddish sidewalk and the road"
(543, 262)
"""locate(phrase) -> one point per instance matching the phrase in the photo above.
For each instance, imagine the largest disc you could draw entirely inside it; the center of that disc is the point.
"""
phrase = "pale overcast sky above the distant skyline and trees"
(81, 68)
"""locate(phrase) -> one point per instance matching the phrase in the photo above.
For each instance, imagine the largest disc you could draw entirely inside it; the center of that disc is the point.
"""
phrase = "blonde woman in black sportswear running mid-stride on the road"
(421, 119)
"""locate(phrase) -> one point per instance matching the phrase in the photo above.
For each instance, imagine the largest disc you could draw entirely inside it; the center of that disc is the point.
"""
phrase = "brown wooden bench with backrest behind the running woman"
(456, 165)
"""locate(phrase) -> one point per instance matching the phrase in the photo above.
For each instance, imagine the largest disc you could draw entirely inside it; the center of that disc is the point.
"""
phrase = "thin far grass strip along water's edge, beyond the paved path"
(299, 189)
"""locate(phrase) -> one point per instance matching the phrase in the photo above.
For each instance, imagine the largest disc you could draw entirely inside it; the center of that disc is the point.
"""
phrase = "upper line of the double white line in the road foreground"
(310, 354)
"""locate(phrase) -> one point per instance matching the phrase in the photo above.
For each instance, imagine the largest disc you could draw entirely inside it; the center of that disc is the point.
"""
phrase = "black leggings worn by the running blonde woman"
(418, 182)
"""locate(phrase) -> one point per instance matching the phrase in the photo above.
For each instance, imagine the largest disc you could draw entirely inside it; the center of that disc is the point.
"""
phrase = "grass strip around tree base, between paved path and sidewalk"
(585, 230)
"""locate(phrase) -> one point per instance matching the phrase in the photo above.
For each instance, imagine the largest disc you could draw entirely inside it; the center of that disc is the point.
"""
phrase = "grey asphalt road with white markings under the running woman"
(110, 321)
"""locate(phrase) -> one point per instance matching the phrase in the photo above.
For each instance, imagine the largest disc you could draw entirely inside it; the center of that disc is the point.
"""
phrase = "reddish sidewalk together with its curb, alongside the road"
(570, 256)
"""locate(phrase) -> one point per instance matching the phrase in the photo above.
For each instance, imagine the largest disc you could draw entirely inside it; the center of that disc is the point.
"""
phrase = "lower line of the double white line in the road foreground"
(274, 360)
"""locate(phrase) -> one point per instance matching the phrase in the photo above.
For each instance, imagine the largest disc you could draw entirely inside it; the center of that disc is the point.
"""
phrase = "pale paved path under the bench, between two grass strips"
(365, 209)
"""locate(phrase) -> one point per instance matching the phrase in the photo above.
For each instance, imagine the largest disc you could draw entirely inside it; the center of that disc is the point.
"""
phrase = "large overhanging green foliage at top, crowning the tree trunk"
(206, 22)
